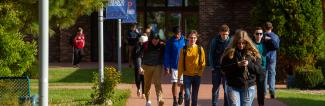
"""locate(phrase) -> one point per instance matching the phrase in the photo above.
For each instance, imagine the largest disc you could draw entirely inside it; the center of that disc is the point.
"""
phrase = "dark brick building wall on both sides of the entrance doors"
(212, 13)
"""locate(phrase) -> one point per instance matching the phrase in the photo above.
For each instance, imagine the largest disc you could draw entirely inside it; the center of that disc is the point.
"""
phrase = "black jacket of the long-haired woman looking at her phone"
(235, 74)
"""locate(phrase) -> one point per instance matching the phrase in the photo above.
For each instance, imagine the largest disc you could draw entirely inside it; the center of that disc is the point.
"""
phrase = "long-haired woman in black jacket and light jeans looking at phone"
(241, 64)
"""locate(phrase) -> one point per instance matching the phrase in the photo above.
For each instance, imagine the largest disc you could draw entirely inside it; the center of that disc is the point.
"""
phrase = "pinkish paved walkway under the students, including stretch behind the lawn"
(204, 92)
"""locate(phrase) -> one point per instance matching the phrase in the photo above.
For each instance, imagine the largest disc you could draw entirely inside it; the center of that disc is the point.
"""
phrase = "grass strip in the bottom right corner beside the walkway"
(297, 98)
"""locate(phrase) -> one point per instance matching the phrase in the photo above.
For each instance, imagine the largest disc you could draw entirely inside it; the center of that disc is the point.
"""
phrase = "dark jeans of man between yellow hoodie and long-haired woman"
(217, 78)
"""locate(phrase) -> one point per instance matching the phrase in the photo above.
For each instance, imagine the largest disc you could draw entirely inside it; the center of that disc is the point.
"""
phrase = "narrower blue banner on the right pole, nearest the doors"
(131, 16)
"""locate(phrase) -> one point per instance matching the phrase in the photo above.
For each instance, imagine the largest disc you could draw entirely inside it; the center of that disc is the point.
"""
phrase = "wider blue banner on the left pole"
(116, 9)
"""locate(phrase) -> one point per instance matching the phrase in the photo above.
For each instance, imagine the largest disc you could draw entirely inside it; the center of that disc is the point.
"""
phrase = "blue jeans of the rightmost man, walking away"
(270, 76)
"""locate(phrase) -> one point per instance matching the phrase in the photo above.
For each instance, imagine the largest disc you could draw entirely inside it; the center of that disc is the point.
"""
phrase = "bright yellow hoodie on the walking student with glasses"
(191, 61)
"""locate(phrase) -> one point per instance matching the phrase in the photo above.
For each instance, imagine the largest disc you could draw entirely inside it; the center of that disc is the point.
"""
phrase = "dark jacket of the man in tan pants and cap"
(153, 55)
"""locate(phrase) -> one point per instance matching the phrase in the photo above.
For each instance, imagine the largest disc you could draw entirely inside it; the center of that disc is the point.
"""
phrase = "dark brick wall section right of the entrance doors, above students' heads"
(213, 13)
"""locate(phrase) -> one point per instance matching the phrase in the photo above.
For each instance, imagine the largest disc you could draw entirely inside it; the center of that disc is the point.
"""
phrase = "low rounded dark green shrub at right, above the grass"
(308, 78)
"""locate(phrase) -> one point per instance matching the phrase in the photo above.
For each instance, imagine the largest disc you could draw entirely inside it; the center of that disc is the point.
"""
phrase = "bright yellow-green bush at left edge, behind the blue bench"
(16, 55)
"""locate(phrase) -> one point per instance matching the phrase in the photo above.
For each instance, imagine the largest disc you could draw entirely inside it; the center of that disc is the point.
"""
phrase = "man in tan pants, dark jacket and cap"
(152, 61)
